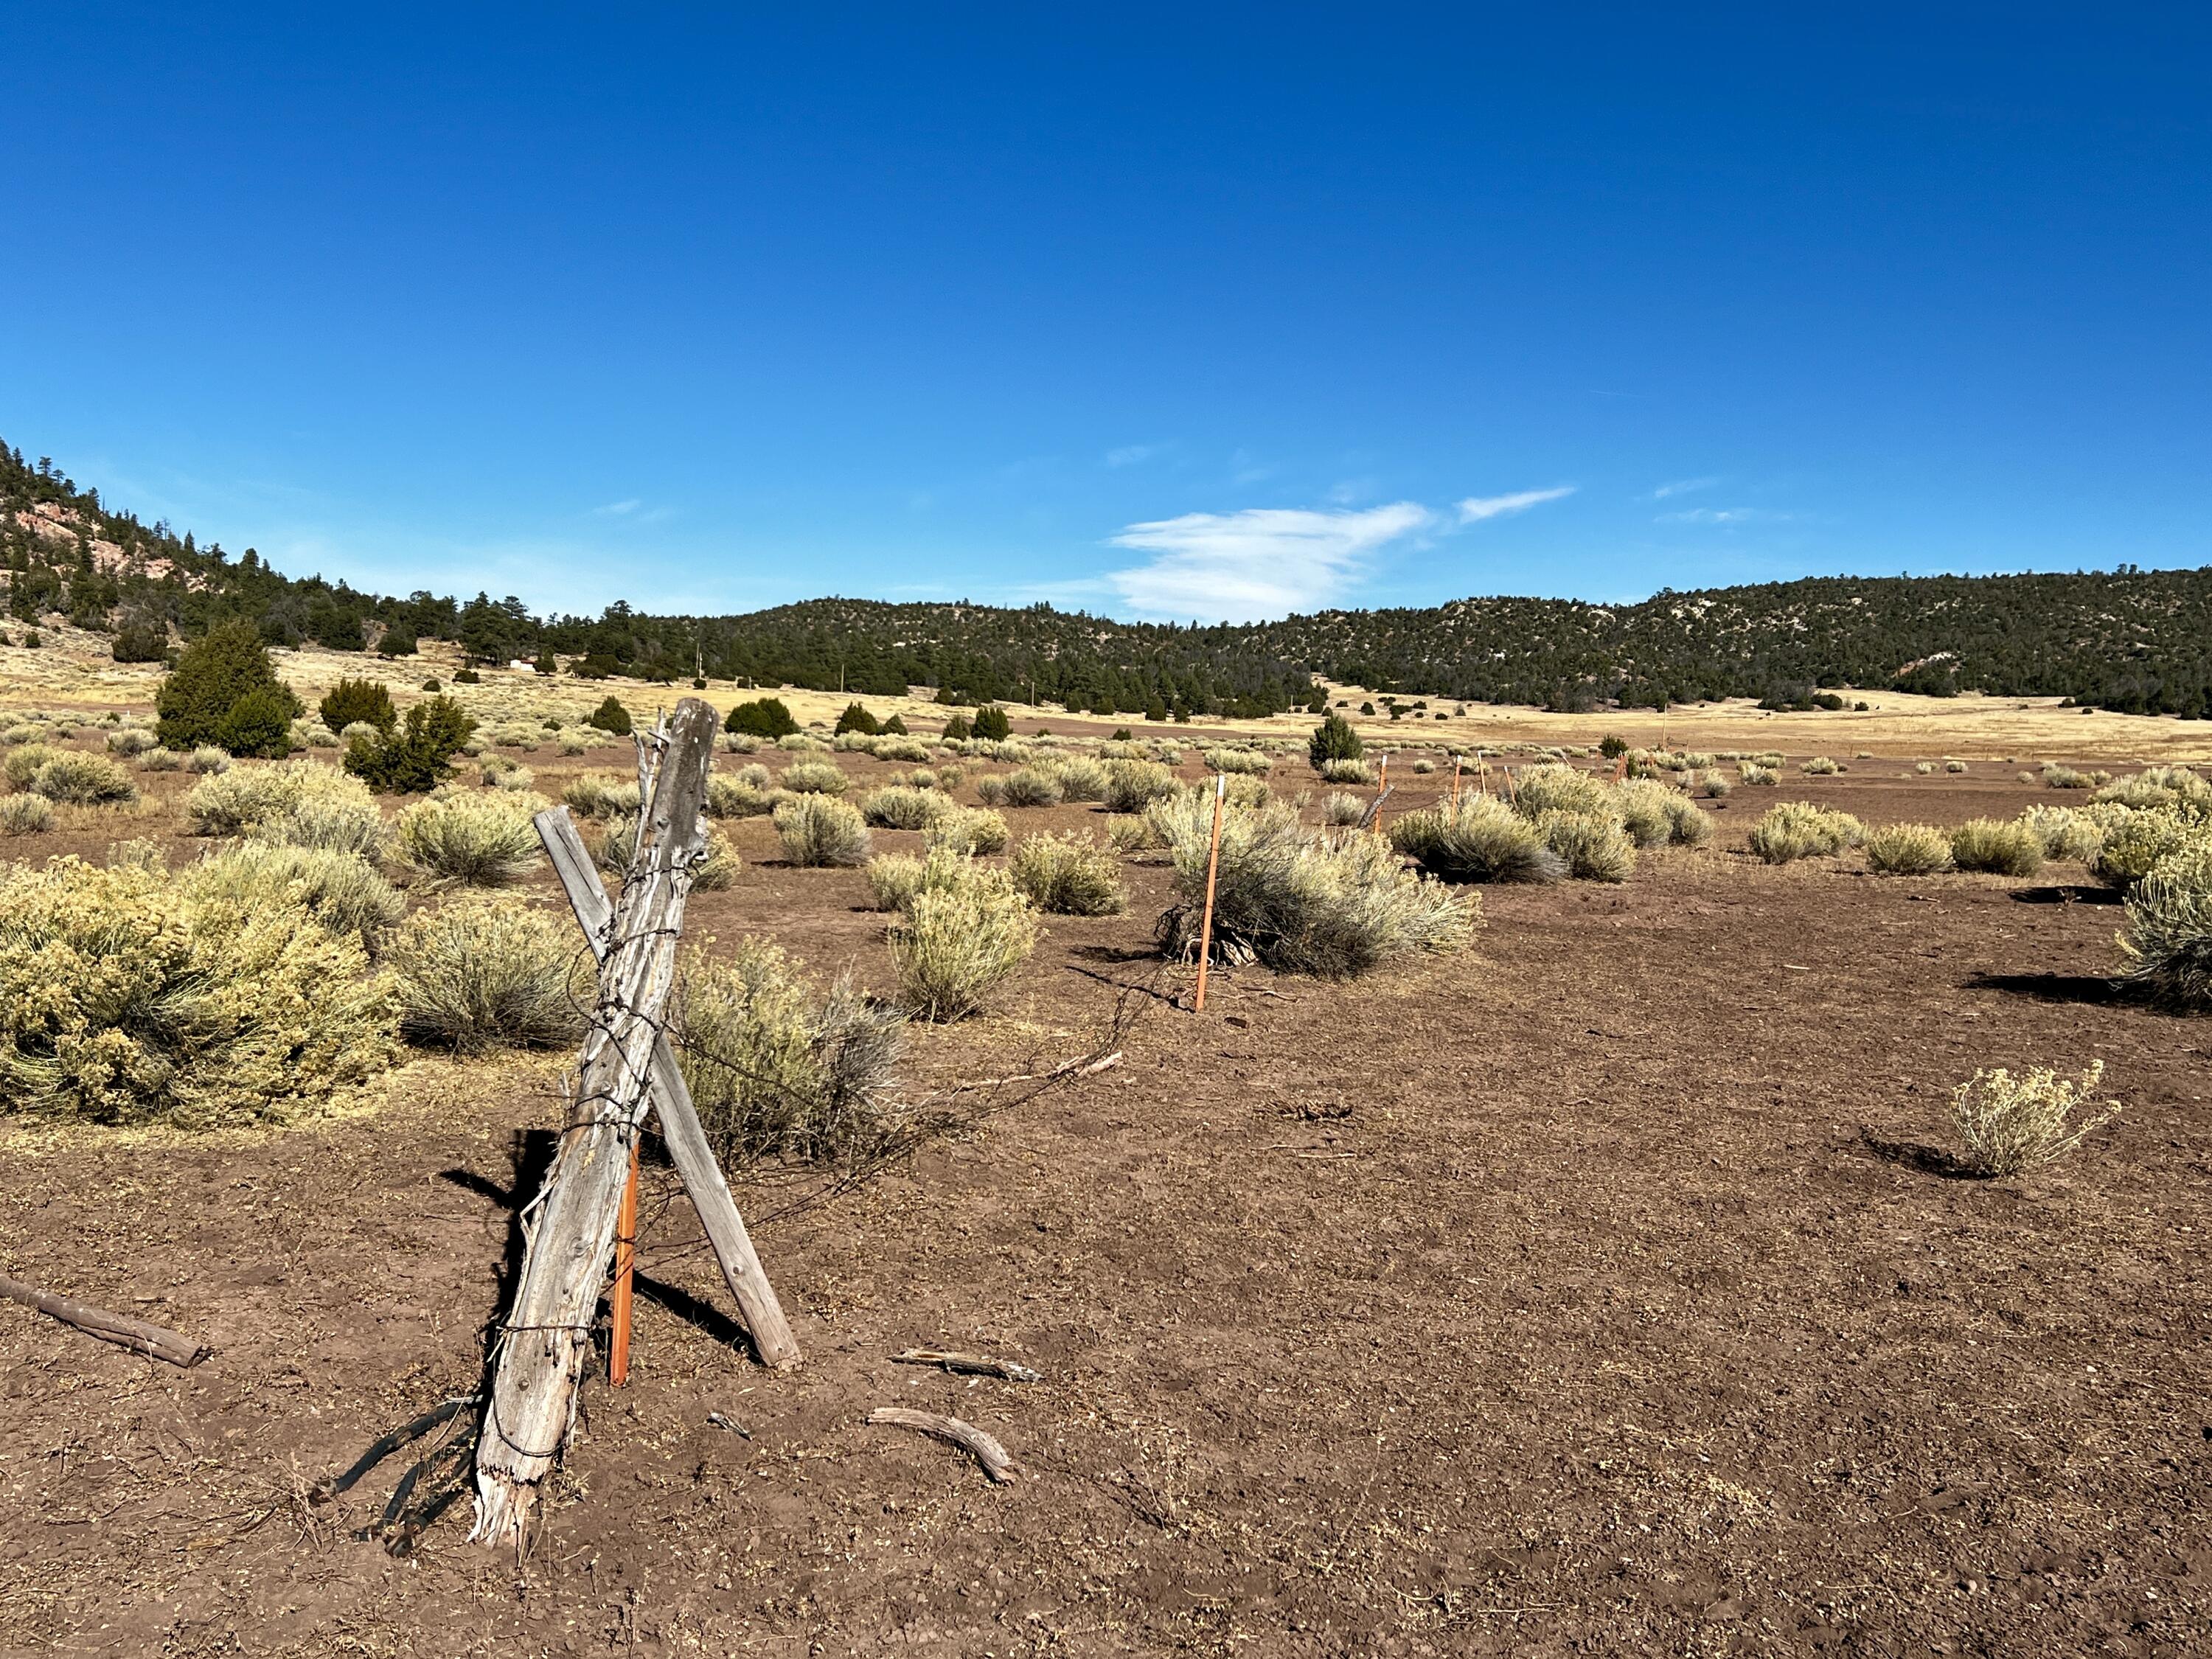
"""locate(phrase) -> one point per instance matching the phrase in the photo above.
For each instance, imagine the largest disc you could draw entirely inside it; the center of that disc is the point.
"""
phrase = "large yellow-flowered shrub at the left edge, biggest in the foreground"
(132, 999)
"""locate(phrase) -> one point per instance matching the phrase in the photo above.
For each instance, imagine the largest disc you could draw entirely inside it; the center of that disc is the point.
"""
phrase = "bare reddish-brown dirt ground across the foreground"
(1605, 1291)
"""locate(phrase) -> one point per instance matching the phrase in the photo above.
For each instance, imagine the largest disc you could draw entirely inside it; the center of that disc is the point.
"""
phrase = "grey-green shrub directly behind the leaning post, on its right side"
(780, 1070)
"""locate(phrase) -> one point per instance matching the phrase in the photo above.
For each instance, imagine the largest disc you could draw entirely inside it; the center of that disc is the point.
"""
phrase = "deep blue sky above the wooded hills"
(1162, 313)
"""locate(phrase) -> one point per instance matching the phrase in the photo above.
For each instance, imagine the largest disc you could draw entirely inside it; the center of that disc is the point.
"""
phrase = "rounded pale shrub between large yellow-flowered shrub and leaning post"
(492, 972)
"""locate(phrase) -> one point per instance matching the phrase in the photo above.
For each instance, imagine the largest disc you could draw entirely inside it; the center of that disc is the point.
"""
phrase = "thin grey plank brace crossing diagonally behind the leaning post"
(680, 1123)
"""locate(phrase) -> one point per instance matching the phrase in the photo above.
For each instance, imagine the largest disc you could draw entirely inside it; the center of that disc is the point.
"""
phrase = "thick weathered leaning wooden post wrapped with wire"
(545, 1337)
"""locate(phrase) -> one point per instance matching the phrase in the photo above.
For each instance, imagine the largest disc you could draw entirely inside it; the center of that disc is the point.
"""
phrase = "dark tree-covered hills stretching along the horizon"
(2125, 640)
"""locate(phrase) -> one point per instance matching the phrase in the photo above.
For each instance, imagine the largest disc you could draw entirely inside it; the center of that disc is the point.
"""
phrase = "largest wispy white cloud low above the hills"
(1258, 563)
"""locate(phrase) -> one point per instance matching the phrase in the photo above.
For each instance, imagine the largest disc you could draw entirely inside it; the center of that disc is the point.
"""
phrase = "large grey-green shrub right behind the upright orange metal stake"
(1302, 901)
